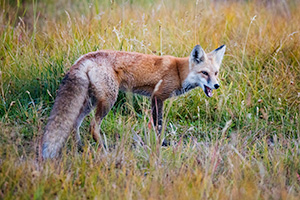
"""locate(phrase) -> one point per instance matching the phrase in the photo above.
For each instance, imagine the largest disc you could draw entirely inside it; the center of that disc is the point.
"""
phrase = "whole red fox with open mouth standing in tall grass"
(95, 79)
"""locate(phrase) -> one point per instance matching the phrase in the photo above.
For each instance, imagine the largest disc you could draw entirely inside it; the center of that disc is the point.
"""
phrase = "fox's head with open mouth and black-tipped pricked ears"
(204, 69)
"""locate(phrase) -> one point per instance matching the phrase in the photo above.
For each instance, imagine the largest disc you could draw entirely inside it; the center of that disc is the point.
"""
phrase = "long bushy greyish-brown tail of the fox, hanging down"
(70, 98)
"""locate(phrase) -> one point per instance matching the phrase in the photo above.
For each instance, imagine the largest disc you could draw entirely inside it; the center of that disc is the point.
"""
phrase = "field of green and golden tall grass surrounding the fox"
(243, 143)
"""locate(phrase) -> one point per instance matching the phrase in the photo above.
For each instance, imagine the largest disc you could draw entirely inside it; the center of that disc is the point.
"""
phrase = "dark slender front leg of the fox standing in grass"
(157, 113)
